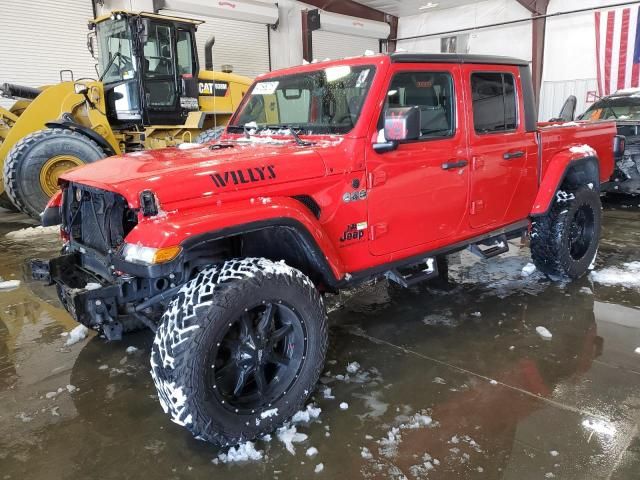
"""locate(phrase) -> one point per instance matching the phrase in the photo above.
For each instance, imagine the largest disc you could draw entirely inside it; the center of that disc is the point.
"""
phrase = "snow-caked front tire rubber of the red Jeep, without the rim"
(192, 325)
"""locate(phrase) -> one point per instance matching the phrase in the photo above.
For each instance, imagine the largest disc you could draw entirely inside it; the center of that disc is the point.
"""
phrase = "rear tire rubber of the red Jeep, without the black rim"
(550, 249)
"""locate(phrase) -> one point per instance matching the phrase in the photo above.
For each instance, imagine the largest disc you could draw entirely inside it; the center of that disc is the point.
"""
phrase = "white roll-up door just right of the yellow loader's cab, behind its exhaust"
(241, 44)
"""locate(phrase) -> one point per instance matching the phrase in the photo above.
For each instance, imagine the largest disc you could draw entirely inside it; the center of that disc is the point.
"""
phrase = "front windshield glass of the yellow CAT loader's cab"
(114, 43)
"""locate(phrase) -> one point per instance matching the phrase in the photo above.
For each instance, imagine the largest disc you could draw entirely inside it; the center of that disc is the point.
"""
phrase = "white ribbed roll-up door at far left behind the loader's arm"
(38, 39)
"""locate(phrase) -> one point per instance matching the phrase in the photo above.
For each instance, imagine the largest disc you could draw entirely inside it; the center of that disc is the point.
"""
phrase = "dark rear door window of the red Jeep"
(494, 102)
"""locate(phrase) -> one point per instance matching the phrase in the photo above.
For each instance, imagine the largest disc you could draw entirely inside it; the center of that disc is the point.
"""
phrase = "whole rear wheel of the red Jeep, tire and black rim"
(564, 241)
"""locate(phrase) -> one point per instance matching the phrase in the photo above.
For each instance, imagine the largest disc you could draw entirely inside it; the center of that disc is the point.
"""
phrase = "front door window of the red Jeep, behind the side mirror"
(433, 93)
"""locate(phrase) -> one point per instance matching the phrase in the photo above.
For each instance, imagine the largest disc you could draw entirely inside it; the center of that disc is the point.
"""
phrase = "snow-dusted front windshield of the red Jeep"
(319, 102)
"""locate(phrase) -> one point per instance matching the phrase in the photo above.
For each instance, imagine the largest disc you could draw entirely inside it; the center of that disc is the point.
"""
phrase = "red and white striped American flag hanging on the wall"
(618, 49)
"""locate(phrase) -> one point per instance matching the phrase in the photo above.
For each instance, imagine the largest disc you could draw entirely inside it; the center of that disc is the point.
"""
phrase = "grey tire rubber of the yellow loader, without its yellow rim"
(25, 160)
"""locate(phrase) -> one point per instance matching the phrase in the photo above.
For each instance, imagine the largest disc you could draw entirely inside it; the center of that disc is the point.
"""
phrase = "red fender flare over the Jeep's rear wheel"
(557, 172)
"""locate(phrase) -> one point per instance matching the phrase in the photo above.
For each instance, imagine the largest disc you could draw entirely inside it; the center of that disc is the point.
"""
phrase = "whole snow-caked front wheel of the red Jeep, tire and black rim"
(239, 350)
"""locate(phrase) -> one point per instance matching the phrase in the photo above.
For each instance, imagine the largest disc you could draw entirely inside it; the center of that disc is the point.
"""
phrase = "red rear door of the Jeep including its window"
(503, 155)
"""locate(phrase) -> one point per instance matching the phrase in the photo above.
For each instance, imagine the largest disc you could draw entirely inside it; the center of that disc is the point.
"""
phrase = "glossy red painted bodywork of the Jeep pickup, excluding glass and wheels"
(410, 205)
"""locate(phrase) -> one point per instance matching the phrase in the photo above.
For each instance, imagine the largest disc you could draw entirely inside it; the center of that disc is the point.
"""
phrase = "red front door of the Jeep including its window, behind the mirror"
(418, 192)
